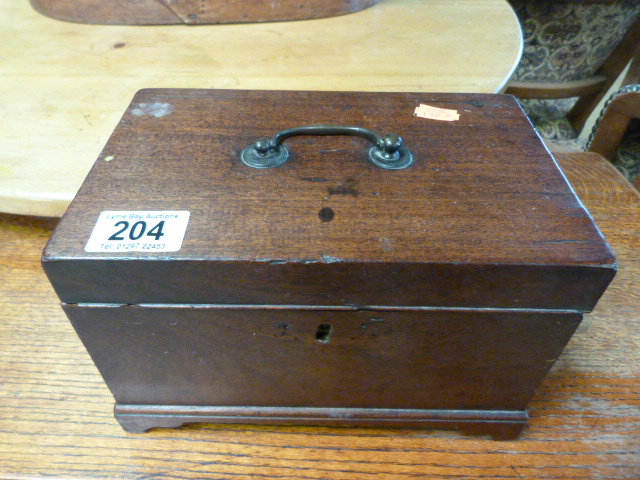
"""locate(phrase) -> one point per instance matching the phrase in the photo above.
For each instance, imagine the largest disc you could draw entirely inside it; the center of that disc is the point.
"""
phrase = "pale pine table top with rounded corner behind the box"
(64, 86)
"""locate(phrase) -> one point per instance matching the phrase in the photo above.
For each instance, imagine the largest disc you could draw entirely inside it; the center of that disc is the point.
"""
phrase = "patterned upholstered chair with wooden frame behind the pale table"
(574, 50)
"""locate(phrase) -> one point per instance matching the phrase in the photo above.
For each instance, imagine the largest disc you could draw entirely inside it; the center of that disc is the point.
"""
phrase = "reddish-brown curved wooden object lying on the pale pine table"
(160, 12)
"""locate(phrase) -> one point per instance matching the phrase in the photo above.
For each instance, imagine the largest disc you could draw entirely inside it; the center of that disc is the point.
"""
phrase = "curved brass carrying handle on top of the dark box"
(387, 152)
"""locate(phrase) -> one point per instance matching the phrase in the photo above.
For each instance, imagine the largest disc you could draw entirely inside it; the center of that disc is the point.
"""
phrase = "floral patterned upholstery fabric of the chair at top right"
(566, 40)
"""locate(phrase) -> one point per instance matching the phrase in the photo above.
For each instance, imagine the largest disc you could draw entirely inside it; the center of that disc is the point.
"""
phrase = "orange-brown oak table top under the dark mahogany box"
(56, 416)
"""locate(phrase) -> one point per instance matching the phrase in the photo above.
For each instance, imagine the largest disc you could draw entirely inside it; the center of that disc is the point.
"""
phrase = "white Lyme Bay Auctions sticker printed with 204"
(138, 231)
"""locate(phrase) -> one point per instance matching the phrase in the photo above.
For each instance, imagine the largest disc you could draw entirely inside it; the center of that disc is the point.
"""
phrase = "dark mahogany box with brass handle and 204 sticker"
(436, 292)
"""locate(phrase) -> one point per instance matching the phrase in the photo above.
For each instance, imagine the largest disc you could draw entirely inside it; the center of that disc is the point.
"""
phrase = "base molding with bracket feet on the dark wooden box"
(499, 424)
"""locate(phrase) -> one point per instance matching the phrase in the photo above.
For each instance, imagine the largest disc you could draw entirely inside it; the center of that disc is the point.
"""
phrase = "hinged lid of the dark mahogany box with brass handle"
(482, 218)
